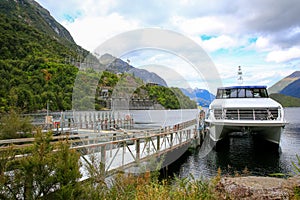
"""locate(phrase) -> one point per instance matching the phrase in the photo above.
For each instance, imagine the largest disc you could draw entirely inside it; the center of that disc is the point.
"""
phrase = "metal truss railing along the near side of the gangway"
(119, 154)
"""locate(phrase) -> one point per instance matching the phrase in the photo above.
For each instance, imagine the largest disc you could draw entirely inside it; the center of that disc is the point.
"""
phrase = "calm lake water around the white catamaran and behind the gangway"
(240, 152)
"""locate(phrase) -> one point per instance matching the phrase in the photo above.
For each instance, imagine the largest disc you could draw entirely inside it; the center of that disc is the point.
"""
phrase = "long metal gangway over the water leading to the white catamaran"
(138, 149)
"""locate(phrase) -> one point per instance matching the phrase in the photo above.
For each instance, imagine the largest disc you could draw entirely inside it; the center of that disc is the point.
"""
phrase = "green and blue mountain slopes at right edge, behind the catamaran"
(289, 85)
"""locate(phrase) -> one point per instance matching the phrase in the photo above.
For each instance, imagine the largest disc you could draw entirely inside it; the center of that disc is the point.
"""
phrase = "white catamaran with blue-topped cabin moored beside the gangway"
(245, 108)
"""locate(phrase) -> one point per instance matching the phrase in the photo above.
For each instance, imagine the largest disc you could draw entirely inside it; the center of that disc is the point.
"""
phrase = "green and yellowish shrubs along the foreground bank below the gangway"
(45, 174)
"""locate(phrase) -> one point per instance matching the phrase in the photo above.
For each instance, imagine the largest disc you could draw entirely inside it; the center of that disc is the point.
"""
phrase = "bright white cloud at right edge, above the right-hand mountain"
(283, 55)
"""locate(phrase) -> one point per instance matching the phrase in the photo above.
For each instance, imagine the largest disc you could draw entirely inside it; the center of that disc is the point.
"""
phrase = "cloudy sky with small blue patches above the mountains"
(261, 36)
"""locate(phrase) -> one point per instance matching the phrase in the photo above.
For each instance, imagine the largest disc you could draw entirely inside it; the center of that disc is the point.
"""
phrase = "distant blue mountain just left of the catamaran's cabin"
(201, 96)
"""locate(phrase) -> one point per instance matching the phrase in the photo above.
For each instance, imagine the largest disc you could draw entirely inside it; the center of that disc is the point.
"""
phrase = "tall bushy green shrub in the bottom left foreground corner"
(47, 168)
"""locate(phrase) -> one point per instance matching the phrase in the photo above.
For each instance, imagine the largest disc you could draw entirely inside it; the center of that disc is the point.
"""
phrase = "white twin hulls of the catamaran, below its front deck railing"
(267, 130)
